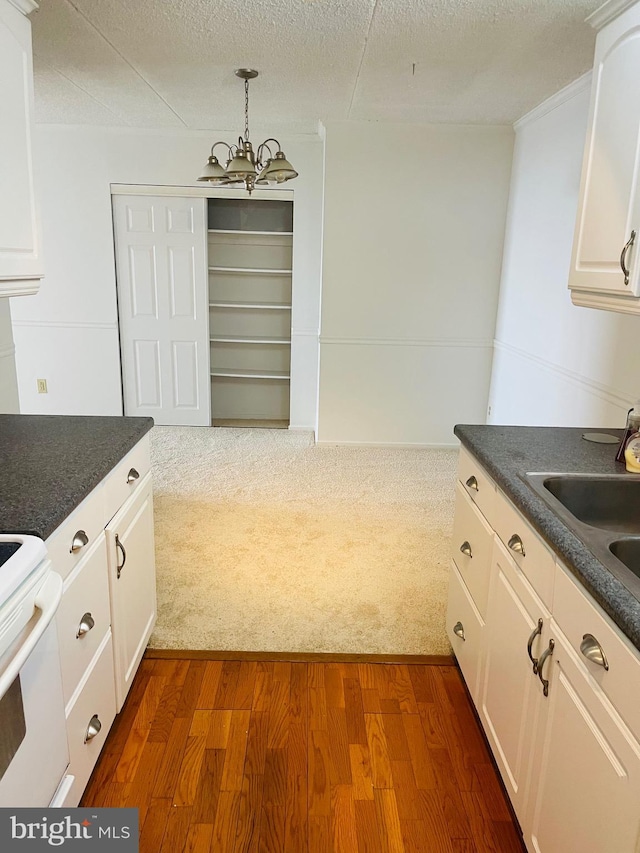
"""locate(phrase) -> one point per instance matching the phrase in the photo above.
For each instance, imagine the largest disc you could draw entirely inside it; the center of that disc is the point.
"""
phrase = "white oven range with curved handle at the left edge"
(33, 741)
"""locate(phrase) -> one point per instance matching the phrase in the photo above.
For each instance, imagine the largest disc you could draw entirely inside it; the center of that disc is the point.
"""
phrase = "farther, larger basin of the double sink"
(609, 503)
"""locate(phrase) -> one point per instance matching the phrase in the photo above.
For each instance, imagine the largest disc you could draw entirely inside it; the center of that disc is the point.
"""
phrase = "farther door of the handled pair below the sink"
(511, 691)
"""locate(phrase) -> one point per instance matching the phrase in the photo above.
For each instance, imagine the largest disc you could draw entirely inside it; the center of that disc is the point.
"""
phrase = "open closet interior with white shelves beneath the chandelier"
(250, 271)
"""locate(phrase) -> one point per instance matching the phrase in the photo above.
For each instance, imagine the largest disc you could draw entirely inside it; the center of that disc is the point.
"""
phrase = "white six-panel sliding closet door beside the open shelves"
(161, 262)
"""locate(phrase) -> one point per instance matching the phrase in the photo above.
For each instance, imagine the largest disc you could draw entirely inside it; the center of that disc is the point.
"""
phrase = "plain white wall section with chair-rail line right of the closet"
(411, 272)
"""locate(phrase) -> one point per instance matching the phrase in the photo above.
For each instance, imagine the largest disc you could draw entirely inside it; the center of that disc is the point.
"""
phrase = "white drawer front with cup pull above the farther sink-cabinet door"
(525, 547)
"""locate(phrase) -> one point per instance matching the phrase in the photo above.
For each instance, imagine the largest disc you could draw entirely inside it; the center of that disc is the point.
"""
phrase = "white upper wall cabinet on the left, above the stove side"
(20, 257)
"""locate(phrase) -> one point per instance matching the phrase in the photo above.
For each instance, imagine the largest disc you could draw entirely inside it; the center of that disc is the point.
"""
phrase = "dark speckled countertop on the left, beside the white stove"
(50, 463)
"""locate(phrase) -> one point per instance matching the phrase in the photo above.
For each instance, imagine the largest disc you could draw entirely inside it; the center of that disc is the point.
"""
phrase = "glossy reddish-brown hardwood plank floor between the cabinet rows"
(303, 757)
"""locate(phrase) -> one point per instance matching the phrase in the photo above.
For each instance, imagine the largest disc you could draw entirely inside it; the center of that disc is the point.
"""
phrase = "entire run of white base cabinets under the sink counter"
(565, 731)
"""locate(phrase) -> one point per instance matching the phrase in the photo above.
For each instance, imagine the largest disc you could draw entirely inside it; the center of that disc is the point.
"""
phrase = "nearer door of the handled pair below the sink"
(587, 768)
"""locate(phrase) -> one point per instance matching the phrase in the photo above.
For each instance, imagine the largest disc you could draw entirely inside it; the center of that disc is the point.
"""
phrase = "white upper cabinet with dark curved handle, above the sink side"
(605, 263)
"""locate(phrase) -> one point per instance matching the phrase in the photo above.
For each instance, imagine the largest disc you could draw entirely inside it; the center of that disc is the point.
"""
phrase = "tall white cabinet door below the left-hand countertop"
(132, 584)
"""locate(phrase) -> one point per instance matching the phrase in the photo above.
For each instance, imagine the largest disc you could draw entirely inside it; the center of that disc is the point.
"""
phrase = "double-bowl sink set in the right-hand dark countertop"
(603, 512)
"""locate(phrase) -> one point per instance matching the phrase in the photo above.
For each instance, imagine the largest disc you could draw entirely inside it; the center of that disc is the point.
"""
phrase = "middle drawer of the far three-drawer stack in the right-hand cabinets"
(471, 548)
